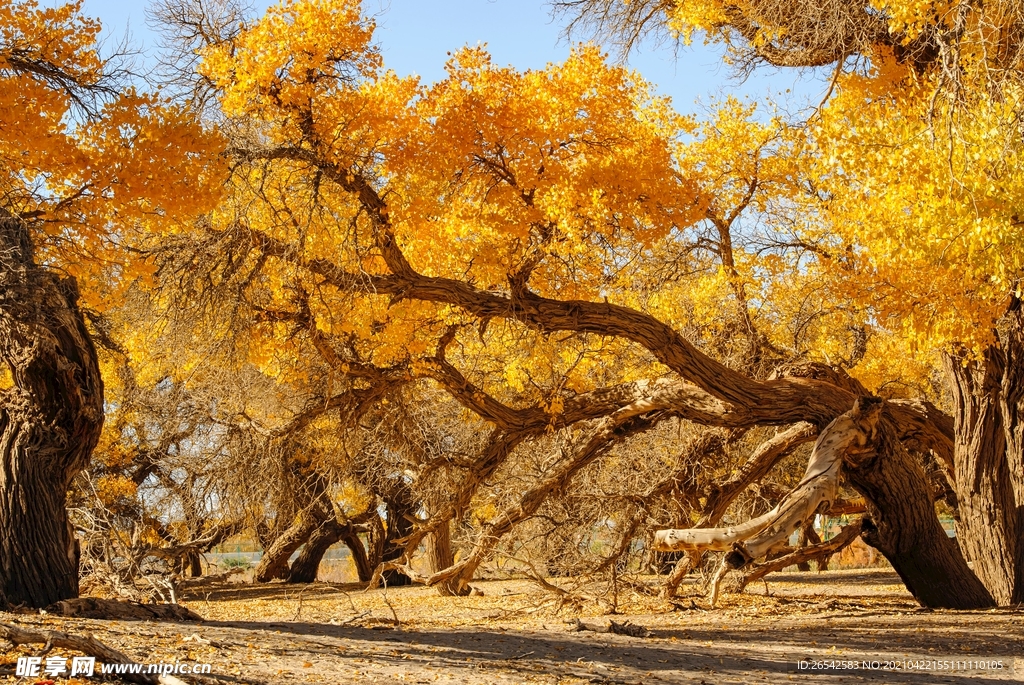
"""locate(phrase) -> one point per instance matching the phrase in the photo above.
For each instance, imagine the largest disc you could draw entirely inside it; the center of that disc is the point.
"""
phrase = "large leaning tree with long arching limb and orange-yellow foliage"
(564, 191)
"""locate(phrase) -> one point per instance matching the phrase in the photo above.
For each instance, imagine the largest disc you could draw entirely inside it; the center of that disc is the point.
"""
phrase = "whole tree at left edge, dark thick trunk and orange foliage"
(80, 153)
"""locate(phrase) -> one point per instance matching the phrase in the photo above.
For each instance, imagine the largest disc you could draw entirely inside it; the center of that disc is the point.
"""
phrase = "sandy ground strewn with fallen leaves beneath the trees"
(517, 634)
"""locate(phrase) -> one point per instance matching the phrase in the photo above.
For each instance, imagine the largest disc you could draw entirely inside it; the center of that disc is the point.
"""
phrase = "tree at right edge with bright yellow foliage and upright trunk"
(937, 87)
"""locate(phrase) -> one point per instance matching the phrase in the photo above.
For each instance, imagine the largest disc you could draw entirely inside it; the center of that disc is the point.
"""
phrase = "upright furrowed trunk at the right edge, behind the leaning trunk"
(990, 459)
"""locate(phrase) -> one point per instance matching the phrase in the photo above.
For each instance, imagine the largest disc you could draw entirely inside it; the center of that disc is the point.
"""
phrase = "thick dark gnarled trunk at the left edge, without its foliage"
(51, 421)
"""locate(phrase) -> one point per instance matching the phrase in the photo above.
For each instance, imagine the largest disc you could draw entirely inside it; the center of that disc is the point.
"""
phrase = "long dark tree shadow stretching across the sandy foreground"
(673, 656)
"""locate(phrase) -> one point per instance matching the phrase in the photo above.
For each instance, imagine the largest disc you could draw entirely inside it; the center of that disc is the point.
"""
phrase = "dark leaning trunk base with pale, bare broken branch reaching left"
(902, 523)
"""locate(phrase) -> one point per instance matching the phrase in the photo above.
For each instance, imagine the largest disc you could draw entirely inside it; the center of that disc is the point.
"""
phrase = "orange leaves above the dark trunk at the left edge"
(99, 184)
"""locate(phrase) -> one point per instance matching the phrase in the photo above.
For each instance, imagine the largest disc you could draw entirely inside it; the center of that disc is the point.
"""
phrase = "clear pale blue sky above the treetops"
(416, 36)
